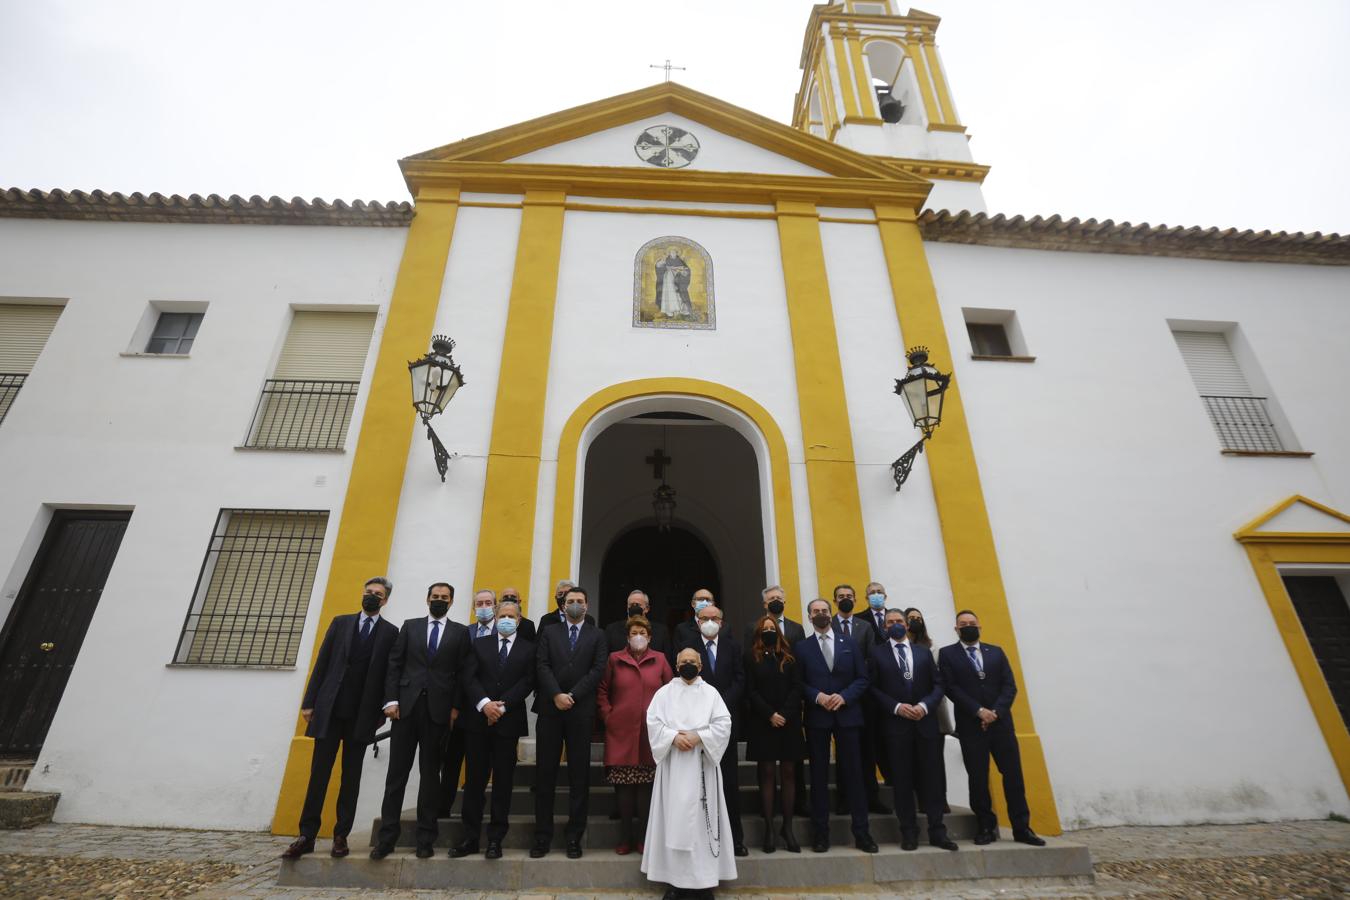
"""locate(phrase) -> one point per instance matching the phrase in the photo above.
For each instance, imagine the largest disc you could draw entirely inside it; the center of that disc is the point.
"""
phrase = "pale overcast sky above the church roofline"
(1194, 113)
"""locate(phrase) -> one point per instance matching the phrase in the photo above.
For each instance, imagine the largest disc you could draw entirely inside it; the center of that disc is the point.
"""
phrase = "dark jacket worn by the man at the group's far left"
(331, 667)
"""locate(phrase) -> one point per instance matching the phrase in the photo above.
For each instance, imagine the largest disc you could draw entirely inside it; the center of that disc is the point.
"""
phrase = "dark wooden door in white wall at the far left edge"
(49, 621)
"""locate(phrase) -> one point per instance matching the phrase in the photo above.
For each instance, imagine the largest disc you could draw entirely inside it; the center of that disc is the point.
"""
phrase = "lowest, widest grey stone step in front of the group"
(996, 867)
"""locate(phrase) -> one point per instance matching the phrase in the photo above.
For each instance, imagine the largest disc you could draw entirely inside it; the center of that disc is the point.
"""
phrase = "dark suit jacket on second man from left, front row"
(411, 671)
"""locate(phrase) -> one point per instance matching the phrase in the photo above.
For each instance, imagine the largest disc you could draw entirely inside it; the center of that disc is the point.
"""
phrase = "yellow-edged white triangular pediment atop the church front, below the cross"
(605, 133)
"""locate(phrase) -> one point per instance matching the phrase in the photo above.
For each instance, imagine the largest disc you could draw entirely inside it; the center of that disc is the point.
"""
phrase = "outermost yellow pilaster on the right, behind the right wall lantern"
(971, 558)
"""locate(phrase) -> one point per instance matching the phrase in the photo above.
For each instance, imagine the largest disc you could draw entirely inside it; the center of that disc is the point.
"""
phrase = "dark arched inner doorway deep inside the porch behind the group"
(670, 566)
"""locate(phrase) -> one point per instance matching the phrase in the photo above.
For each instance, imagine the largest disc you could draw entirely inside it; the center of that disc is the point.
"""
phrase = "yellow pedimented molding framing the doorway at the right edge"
(1268, 551)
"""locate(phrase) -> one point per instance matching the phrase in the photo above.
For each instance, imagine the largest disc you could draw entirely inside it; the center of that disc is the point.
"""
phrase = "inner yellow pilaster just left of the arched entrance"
(506, 536)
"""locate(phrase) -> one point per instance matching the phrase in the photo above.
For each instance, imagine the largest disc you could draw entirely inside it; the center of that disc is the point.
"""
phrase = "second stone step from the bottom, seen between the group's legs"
(604, 833)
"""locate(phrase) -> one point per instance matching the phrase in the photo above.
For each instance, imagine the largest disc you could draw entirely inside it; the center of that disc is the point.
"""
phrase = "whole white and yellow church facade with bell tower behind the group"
(1140, 481)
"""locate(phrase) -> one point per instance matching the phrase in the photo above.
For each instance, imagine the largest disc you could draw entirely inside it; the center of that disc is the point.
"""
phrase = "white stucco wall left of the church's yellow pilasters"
(136, 741)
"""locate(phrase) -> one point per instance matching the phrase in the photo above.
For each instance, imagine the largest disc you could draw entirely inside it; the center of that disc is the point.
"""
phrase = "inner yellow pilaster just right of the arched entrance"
(827, 432)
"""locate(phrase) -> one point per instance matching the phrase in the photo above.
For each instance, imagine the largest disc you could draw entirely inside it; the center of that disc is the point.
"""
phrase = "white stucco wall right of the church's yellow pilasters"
(1160, 687)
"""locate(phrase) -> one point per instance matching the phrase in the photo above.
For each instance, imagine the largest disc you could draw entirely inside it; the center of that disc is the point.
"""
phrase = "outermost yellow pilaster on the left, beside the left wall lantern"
(371, 509)
